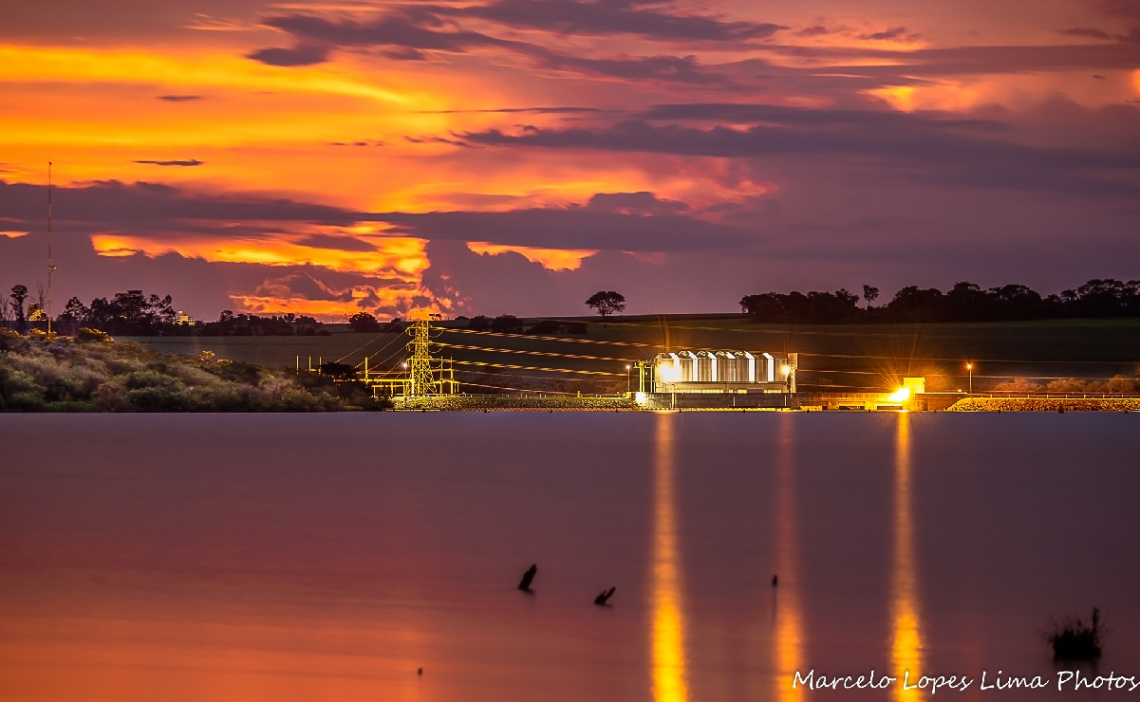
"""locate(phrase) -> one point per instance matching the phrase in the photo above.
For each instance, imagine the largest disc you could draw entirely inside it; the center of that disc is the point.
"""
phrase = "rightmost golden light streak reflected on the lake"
(907, 627)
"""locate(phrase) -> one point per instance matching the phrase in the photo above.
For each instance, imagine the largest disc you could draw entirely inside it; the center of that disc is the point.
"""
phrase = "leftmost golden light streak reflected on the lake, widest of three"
(669, 633)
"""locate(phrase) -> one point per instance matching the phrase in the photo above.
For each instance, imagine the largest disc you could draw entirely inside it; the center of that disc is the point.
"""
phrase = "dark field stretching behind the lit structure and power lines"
(833, 357)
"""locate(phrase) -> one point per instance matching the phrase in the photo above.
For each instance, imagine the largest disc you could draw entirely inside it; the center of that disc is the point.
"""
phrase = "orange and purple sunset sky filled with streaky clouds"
(516, 157)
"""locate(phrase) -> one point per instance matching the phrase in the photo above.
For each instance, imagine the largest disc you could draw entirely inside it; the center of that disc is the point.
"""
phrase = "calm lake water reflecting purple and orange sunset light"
(289, 558)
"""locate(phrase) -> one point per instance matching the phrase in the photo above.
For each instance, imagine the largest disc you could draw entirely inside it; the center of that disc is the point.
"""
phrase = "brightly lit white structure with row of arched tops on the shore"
(720, 372)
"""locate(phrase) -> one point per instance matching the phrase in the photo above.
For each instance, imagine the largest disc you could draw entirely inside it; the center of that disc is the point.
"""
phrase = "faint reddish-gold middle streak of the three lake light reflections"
(789, 642)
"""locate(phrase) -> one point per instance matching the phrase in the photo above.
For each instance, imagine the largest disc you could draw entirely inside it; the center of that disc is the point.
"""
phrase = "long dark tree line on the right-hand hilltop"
(965, 303)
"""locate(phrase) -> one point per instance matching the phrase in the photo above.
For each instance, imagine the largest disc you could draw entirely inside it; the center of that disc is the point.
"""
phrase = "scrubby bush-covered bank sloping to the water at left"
(94, 373)
